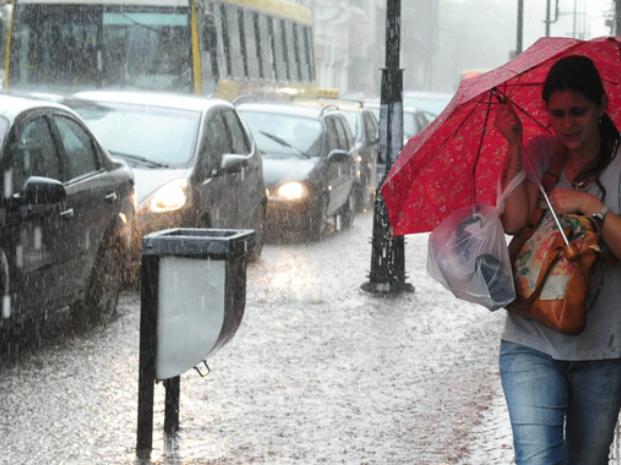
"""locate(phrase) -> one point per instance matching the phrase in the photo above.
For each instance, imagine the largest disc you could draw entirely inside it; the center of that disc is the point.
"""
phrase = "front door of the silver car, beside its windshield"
(216, 201)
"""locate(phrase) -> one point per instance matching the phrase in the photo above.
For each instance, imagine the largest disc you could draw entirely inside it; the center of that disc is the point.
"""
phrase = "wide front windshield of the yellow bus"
(59, 48)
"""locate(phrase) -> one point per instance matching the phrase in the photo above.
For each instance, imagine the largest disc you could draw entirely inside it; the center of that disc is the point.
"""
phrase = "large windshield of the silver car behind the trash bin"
(157, 135)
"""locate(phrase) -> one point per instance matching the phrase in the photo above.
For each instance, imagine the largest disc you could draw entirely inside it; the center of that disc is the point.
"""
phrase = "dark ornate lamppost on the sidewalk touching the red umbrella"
(387, 275)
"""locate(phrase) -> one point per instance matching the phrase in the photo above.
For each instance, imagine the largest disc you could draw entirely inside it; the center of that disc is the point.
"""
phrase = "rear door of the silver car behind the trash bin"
(249, 181)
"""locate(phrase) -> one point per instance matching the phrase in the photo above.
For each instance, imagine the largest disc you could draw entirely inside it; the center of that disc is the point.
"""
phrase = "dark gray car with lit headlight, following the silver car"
(309, 165)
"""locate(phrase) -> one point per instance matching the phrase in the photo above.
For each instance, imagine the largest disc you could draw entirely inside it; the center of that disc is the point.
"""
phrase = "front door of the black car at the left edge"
(33, 235)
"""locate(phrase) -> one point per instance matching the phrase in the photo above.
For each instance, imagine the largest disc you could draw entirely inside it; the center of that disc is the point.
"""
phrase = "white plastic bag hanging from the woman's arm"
(468, 254)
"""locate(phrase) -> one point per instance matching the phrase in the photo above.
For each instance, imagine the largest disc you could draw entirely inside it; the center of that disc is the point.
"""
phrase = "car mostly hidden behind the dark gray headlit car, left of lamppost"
(364, 129)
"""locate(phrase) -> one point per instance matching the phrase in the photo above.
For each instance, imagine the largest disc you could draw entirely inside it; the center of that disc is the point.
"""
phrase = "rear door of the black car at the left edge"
(90, 199)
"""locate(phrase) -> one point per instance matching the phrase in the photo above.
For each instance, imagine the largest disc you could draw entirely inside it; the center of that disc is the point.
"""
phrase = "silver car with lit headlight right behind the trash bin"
(195, 162)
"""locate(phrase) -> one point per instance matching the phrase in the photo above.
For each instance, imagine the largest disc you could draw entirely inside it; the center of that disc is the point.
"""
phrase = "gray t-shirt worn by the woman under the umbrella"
(602, 337)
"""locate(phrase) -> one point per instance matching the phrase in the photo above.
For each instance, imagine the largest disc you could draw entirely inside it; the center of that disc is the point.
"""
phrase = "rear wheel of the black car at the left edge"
(104, 285)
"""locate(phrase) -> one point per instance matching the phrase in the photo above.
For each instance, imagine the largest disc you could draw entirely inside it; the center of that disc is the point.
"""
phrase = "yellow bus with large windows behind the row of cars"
(222, 48)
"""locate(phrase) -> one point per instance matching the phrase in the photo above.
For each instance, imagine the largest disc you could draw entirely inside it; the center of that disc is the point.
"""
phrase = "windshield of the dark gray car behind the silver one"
(277, 134)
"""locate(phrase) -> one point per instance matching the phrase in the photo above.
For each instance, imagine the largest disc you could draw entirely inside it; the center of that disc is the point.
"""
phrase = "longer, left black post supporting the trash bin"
(148, 345)
